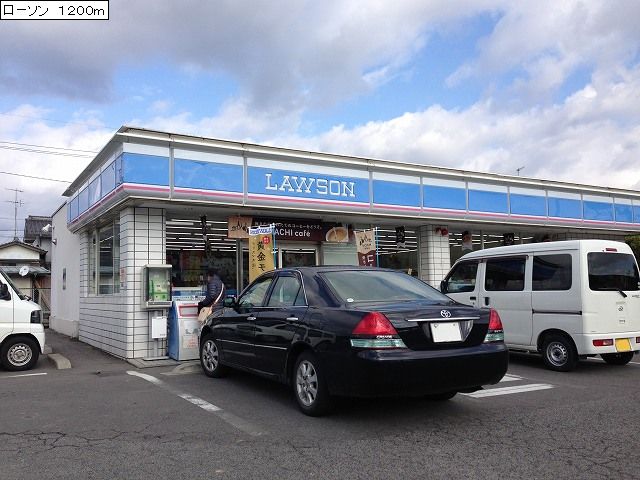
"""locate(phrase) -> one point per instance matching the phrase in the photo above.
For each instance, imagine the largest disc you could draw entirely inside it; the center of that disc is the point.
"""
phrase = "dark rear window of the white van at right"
(612, 271)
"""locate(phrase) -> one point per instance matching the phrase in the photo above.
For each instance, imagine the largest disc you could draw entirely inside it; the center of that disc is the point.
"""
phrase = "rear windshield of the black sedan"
(380, 286)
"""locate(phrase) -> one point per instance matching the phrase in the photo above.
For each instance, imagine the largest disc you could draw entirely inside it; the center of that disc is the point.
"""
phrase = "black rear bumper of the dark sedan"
(374, 373)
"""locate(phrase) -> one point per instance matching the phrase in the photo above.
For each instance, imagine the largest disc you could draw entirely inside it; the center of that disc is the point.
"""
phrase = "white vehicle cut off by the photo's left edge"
(21, 330)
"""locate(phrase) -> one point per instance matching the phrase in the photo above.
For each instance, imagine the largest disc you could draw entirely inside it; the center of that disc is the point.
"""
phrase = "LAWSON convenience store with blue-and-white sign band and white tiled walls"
(155, 198)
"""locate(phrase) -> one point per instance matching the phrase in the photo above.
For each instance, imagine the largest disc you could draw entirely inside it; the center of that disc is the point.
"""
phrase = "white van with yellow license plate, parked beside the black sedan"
(566, 300)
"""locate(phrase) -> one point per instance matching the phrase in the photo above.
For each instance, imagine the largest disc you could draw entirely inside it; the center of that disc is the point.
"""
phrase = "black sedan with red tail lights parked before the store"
(354, 331)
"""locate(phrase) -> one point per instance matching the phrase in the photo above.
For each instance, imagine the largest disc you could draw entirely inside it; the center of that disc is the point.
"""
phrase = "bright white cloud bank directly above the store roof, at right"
(590, 138)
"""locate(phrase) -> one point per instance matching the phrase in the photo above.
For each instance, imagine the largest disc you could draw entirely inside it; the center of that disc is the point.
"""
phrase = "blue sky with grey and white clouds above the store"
(486, 85)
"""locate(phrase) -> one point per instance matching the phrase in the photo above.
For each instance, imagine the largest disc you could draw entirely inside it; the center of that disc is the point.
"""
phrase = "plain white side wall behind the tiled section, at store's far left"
(65, 302)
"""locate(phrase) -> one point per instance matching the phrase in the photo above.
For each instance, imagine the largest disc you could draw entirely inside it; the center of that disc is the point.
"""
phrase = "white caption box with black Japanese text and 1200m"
(54, 10)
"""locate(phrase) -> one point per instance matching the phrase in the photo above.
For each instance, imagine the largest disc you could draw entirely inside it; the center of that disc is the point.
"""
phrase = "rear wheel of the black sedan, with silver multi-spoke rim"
(310, 387)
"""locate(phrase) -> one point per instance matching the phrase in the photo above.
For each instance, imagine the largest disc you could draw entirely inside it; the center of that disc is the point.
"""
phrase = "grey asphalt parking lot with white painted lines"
(105, 418)
